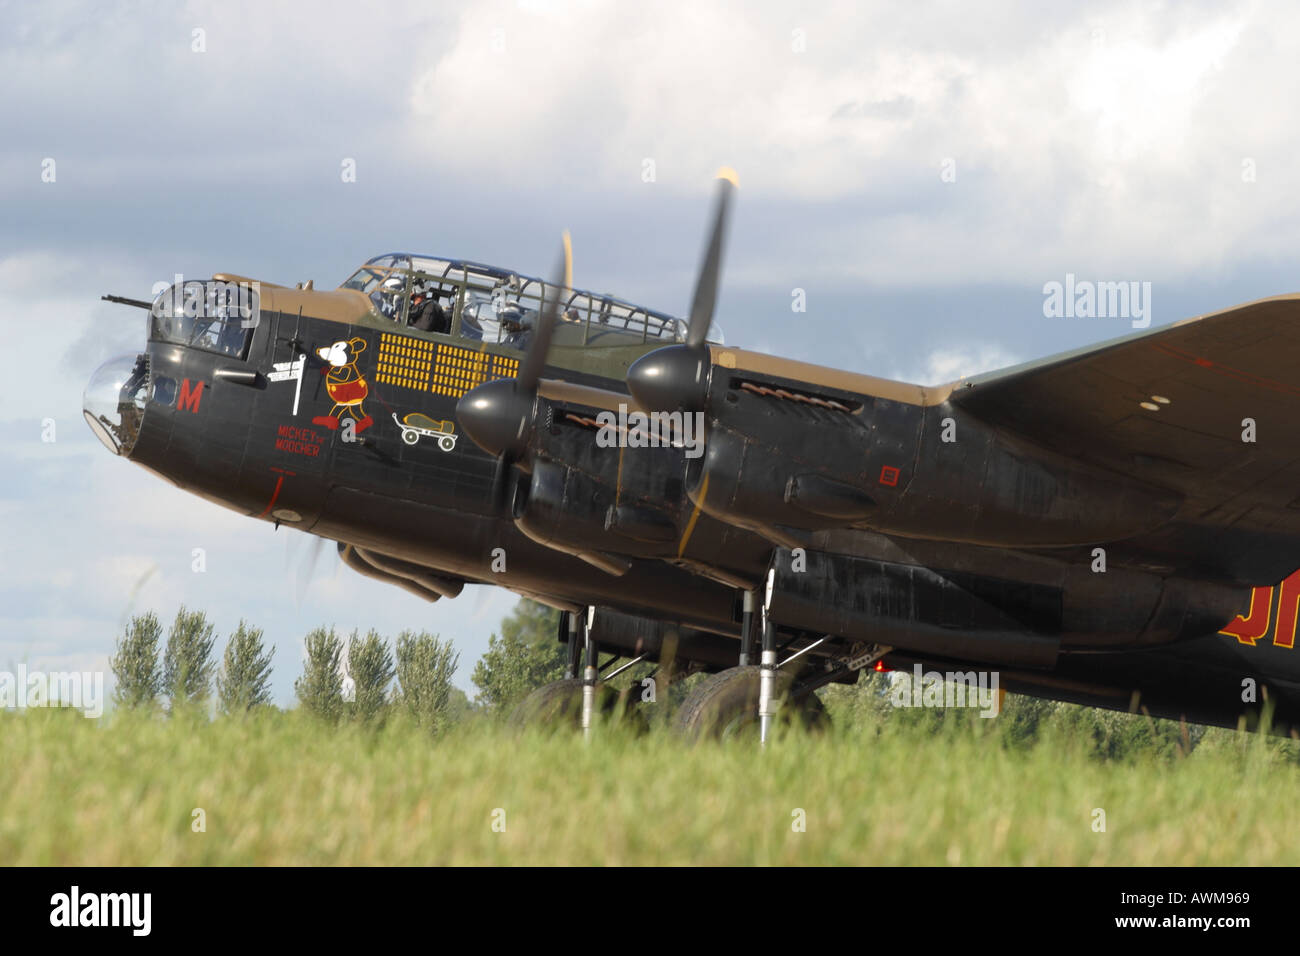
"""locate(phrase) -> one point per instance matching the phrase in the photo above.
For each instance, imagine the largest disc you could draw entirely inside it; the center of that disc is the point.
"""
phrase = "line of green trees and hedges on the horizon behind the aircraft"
(362, 678)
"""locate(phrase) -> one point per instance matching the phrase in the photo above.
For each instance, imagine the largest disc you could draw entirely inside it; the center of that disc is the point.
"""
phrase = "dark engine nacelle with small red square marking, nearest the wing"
(909, 470)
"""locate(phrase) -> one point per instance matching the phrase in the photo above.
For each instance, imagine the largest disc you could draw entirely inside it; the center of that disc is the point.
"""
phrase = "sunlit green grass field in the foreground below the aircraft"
(283, 789)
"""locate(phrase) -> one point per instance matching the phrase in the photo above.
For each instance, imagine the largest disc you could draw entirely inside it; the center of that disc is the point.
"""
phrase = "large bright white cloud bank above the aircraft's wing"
(1108, 140)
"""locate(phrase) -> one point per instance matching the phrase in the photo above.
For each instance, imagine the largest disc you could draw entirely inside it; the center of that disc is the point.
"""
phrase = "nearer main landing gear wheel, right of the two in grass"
(726, 707)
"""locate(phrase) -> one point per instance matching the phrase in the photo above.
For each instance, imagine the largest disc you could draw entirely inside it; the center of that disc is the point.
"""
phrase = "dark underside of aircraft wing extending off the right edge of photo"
(1208, 406)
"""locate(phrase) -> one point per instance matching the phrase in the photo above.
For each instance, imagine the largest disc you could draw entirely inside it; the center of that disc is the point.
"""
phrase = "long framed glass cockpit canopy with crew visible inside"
(488, 304)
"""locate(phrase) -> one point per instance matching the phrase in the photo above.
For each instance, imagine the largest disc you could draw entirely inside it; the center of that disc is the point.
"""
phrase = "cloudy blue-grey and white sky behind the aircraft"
(920, 171)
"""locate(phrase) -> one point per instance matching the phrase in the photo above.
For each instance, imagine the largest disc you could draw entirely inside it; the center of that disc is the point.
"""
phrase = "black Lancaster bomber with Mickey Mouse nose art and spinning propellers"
(1117, 526)
